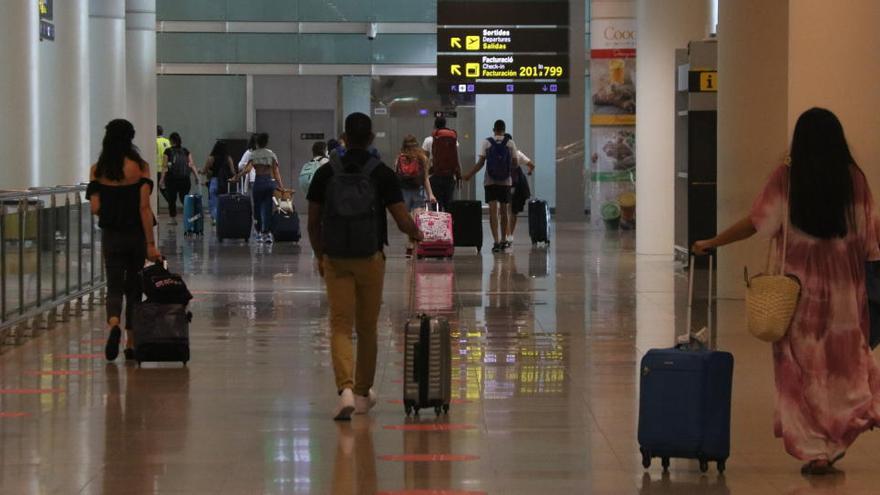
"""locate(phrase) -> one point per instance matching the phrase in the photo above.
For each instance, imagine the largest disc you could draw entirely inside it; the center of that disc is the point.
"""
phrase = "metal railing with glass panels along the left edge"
(51, 268)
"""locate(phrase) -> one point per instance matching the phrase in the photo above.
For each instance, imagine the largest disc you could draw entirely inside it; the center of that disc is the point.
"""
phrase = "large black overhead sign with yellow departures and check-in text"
(518, 49)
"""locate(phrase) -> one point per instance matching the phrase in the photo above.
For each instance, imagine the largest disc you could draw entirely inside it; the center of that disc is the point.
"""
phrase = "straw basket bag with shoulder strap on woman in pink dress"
(772, 297)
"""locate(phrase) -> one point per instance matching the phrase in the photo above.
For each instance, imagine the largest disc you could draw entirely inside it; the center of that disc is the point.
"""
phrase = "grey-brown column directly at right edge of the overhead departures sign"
(571, 123)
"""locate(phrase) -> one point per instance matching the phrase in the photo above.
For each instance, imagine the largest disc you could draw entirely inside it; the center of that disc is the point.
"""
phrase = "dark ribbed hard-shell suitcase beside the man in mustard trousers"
(427, 380)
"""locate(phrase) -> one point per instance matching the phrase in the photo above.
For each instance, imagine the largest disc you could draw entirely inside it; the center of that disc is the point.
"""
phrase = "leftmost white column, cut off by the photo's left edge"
(19, 38)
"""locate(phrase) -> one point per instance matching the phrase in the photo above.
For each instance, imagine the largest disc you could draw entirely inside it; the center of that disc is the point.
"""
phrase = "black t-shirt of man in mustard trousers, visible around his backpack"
(384, 179)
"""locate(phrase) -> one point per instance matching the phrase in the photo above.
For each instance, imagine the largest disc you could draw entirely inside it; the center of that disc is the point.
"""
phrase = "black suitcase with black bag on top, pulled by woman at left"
(161, 323)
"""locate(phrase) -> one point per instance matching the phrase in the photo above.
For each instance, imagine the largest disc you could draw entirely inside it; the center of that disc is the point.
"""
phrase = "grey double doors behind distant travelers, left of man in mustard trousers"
(291, 136)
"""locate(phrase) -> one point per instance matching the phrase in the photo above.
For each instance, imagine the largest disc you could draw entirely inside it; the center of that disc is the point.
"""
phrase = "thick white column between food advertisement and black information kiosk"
(662, 27)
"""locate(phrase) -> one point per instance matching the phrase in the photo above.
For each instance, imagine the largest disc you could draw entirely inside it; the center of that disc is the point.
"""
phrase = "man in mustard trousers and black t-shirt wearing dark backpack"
(348, 231)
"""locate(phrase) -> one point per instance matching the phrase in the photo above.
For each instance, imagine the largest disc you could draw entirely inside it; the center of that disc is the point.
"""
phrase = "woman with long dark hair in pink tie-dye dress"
(827, 382)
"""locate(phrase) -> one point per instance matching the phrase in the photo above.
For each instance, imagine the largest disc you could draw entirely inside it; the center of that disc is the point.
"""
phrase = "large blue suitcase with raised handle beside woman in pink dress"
(684, 407)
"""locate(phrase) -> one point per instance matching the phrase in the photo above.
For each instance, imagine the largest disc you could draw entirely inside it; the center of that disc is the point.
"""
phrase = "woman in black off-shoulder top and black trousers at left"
(119, 194)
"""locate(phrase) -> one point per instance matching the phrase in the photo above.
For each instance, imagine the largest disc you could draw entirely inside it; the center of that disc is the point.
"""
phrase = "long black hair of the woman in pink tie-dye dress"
(821, 181)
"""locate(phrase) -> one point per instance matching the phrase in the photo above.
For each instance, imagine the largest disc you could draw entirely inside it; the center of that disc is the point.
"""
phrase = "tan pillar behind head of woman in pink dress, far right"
(833, 63)
